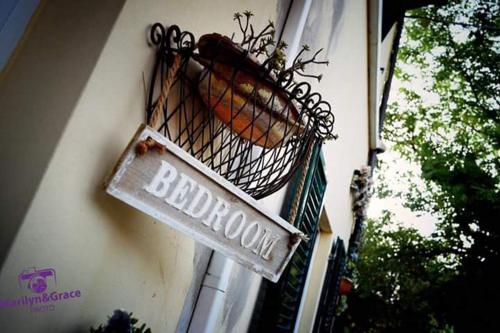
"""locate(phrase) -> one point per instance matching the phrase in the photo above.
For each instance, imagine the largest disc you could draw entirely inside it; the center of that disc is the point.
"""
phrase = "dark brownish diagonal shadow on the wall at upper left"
(38, 93)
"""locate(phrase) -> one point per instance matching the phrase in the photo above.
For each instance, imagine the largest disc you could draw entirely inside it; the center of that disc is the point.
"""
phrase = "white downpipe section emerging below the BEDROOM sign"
(206, 315)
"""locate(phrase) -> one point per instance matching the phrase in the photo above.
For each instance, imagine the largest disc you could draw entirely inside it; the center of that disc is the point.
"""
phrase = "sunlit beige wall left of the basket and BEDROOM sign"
(116, 256)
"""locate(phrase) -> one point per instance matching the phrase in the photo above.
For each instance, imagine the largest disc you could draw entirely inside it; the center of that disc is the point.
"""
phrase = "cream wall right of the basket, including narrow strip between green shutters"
(345, 85)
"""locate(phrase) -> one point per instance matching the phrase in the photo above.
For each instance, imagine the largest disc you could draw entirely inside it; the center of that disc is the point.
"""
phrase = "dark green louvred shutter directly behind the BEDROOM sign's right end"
(278, 304)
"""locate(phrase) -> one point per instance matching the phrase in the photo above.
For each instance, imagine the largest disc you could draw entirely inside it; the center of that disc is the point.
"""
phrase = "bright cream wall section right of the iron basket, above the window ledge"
(346, 86)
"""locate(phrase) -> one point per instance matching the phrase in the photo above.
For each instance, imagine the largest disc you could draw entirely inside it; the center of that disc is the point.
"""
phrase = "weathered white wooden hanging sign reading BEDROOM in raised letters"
(160, 179)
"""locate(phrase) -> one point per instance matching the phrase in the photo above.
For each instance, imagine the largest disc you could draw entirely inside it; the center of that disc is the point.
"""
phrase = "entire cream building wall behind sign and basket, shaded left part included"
(88, 110)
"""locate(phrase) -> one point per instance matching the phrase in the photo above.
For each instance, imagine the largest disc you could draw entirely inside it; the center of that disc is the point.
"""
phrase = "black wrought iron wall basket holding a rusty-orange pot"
(227, 110)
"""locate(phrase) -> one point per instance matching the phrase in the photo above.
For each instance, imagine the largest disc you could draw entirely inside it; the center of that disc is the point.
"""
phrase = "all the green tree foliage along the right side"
(447, 121)
